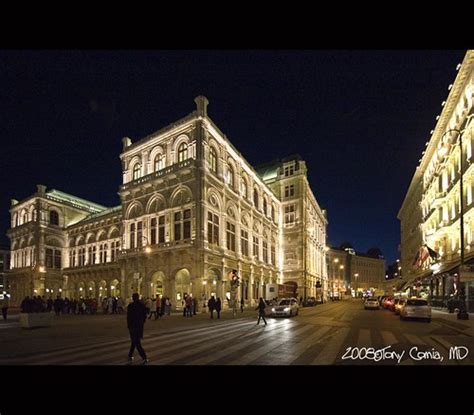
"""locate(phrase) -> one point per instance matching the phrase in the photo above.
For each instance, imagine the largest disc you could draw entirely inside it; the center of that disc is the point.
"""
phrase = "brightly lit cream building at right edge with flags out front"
(430, 215)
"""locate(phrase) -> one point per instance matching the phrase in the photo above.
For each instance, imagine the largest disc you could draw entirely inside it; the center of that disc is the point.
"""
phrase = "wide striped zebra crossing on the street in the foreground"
(242, 342)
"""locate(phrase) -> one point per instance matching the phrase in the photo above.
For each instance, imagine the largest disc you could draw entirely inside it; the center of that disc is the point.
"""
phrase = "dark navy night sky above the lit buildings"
(360, 119)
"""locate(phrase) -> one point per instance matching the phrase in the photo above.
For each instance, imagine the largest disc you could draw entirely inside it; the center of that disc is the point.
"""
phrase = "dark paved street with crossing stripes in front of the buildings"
(333, 333)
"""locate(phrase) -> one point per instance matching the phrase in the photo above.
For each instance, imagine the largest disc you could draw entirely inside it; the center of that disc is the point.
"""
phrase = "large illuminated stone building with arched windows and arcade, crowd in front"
(192, 210)
